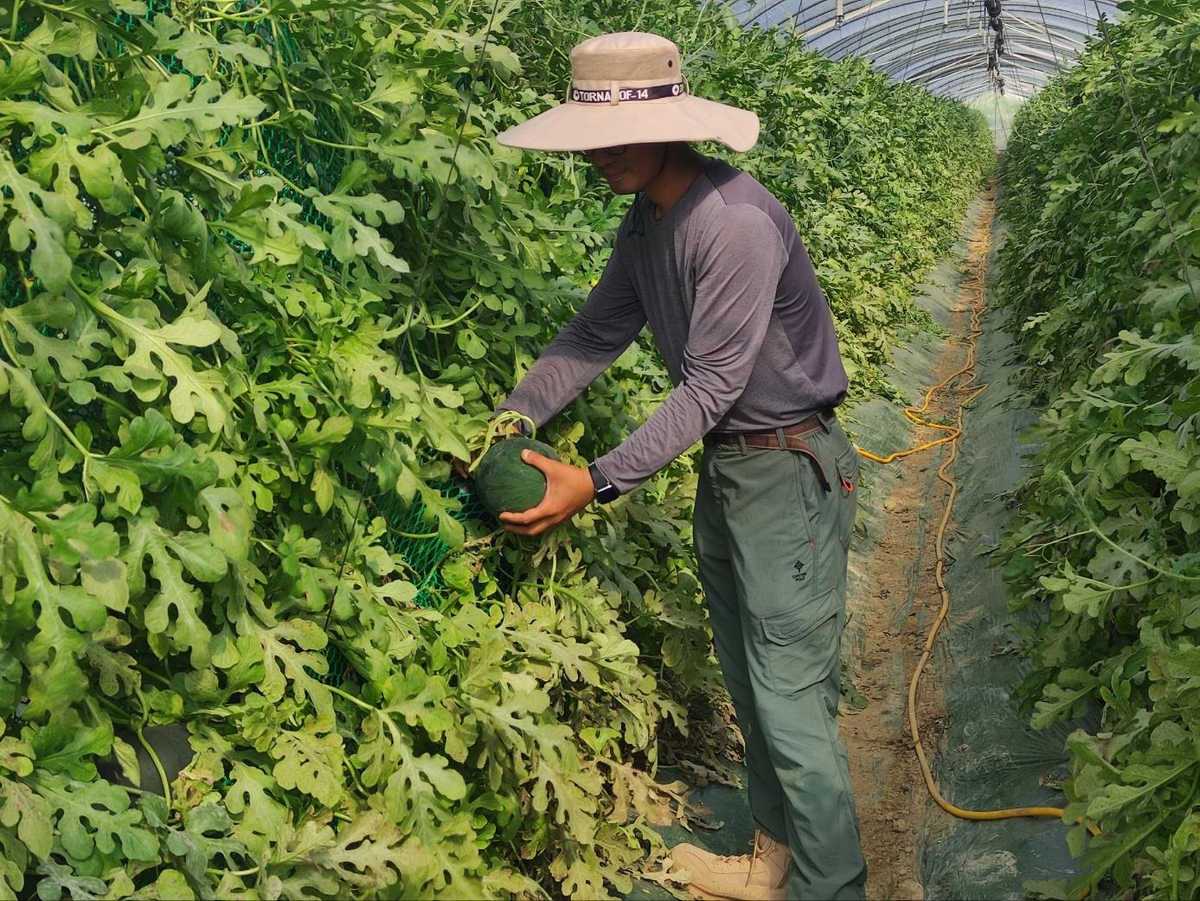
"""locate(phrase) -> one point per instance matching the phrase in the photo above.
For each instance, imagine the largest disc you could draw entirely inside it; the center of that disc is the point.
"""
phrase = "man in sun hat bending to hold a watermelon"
(712, 263)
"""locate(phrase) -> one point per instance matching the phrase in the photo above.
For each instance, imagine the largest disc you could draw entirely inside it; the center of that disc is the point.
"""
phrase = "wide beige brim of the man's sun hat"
(590, 127)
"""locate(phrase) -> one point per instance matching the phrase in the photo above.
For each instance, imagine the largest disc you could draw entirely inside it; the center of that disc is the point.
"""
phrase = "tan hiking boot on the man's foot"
(761, 876)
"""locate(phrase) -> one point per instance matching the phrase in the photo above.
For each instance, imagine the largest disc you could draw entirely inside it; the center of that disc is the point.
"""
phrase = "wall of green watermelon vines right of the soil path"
(1102, 272)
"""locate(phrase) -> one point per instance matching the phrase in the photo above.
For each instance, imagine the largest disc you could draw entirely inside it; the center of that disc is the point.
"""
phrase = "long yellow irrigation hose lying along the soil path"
(974, 285)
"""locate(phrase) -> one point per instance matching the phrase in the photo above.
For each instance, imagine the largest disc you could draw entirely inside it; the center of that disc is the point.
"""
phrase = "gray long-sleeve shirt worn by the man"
(733, 301)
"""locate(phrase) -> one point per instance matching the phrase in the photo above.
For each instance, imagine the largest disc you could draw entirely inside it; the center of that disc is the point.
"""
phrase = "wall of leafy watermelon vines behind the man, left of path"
(265, 273)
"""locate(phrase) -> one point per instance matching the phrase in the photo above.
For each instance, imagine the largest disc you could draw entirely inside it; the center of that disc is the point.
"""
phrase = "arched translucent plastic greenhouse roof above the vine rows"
(957, 49)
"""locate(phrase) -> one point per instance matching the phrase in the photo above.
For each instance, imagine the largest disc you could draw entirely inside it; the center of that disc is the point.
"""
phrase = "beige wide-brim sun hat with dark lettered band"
(628, 88)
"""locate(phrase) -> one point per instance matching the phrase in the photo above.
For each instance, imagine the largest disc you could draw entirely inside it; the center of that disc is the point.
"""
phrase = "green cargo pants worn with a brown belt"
(772, 534)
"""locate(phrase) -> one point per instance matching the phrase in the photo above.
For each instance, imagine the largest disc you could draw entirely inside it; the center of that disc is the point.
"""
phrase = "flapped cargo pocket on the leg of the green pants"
(800, 647)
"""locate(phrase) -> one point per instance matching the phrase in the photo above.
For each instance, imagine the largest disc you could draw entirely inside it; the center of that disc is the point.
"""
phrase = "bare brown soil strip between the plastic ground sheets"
(891, 616)
